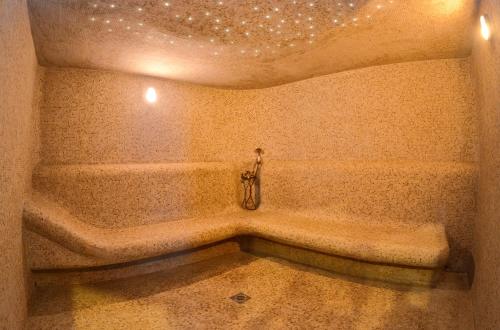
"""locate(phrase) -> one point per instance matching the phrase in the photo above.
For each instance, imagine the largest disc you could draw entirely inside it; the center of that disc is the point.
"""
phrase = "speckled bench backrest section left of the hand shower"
(127, 195)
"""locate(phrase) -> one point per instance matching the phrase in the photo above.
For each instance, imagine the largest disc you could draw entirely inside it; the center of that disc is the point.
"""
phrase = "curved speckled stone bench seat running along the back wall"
(422, 246)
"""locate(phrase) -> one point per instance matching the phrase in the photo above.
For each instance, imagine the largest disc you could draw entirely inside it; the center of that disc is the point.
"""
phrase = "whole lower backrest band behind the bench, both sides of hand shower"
(410, 193)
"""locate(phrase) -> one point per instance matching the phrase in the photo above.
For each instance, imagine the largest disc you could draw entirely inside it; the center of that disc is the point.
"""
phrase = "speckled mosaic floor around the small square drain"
(282, 296)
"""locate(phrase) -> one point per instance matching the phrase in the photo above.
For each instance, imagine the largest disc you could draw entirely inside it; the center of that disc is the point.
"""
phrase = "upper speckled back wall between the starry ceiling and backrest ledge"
(411, 111)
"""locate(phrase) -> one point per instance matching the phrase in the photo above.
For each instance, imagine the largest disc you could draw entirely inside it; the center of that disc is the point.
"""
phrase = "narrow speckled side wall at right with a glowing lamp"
(486, 60)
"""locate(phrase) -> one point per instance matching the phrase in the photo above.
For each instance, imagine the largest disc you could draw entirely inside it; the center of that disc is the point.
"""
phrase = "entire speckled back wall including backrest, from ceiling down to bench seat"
(388, 143)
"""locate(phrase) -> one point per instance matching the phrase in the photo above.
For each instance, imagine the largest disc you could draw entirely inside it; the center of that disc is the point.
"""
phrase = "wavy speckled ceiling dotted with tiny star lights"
(247, 43)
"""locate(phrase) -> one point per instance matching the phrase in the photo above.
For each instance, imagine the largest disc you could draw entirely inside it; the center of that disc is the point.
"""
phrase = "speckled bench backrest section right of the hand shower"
(379, 193)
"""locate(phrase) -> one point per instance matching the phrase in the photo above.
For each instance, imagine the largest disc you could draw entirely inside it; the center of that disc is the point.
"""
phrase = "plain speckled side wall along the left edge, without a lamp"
(18, 88)
